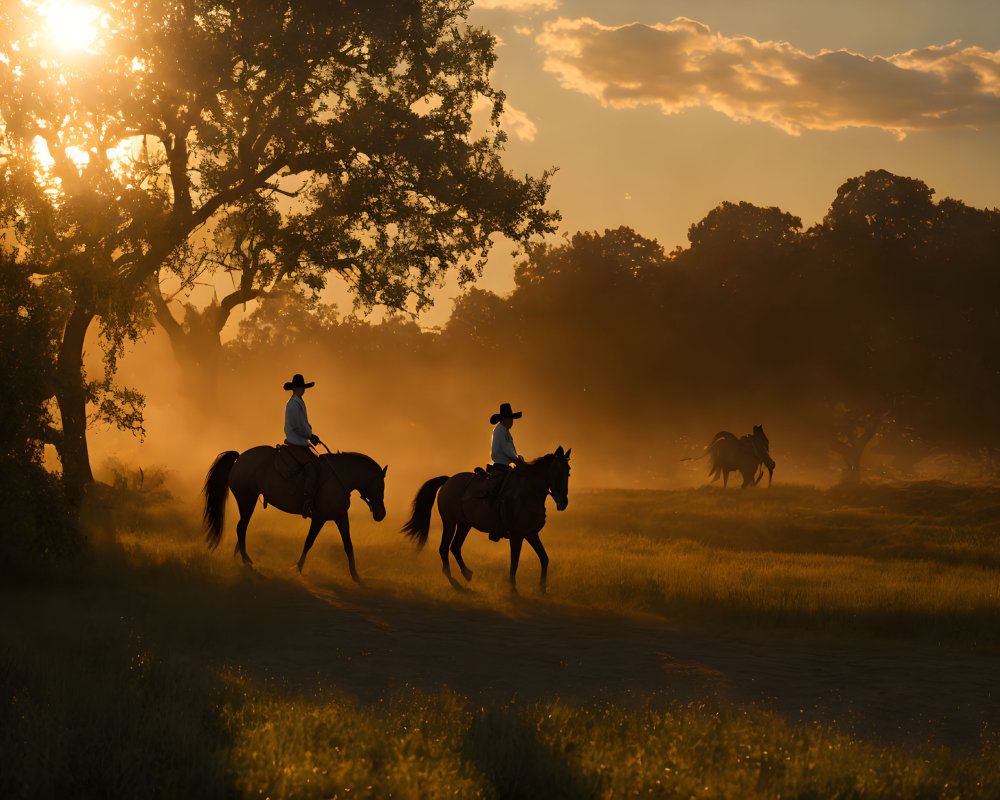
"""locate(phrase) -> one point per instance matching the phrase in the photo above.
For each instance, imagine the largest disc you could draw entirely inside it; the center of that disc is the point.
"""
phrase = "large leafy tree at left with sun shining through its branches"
(351, 119)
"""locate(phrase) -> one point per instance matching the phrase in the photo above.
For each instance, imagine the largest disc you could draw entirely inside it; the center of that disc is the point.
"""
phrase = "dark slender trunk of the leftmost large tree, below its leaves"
(71, 395)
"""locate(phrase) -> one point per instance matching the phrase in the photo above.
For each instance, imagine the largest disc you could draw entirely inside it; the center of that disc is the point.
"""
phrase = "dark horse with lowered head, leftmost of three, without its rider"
(253, 473)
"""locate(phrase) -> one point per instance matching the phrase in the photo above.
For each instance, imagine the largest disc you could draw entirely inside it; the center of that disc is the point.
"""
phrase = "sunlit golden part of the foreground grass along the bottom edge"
(422, 746)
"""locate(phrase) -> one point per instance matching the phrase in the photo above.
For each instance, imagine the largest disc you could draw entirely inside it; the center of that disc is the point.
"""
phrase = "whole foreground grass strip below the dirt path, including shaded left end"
(110, 718)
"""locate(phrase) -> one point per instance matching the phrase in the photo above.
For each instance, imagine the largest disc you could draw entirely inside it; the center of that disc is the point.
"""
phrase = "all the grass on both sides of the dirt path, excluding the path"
(108, 686)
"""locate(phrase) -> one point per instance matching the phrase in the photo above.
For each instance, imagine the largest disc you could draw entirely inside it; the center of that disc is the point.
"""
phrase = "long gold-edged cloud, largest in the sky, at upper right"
(683, 64)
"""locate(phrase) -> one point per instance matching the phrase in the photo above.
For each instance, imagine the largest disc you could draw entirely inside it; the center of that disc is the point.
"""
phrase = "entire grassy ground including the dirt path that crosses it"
(791, 642)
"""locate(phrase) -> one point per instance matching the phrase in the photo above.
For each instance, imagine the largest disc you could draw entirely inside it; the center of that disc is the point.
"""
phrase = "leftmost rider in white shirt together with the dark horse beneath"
(293, 481)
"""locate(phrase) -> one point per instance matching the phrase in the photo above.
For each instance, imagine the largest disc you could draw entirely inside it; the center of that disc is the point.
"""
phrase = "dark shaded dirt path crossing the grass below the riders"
(369, 642)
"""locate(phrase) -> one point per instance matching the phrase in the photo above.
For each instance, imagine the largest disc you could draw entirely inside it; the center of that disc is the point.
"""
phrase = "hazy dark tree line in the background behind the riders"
(880, 323)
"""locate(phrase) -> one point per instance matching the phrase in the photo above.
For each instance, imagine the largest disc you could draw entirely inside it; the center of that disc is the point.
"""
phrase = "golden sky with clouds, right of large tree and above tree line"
(656, 112)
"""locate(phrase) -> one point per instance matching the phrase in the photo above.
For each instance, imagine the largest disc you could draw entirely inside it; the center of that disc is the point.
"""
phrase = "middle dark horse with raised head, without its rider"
(523, 494)
